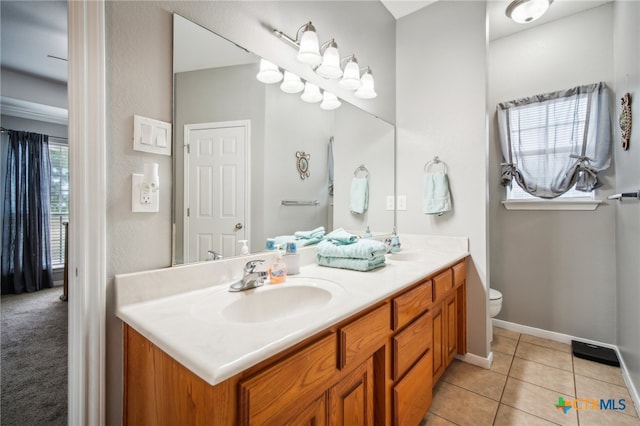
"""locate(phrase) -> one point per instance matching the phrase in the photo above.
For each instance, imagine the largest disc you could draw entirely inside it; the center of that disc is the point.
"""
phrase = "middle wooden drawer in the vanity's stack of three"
(411, 343)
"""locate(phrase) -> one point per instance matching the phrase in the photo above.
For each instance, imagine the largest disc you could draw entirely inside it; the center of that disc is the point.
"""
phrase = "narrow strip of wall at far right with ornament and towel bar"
(627, 80)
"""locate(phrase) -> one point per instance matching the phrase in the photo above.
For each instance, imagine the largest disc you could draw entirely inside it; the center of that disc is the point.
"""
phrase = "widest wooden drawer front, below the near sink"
(288, 386)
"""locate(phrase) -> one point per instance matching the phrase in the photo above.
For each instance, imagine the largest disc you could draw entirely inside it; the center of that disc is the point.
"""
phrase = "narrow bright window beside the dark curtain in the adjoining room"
(59, 154)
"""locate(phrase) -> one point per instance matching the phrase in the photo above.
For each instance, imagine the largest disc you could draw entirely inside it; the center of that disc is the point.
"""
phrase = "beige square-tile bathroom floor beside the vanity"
(526, 379)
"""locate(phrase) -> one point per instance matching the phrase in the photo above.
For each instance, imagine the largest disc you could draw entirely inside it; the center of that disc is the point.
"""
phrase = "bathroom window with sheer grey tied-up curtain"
(555, 144)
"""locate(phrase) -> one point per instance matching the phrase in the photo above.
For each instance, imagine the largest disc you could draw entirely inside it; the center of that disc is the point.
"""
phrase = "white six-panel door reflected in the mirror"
(216, 188)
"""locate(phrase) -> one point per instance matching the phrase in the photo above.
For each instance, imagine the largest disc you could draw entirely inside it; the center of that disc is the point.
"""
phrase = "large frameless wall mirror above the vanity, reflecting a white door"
(238, 145)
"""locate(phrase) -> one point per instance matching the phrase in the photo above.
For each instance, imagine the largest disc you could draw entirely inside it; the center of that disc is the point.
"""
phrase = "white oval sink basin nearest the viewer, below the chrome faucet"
(296, 296)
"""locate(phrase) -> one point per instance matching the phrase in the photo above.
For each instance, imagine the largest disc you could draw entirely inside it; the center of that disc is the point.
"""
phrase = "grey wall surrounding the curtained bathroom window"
(556, 269)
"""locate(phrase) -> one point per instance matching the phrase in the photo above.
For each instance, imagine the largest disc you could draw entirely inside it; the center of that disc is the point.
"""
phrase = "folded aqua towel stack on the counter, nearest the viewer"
(363, 255)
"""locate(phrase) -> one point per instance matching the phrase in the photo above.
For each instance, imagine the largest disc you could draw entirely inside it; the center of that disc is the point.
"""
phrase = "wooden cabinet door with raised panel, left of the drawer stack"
(351, 400)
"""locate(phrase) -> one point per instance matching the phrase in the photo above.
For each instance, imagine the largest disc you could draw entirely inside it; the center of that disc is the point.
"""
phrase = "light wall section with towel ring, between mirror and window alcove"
(441, 110)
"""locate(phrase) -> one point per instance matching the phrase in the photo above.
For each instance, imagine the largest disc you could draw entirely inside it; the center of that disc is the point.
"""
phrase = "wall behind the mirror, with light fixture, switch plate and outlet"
(139, 81)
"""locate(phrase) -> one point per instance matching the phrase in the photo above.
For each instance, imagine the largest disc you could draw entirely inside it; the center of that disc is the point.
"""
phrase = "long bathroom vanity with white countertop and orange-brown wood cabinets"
(369, 355)
